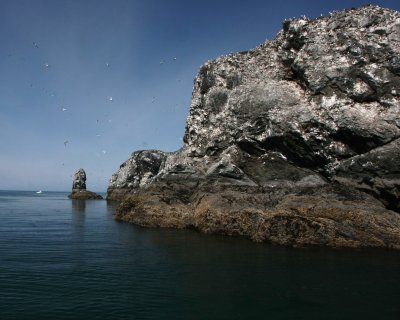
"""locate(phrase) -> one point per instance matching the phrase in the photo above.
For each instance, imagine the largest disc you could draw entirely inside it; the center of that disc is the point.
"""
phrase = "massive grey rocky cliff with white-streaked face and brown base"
(295, 142)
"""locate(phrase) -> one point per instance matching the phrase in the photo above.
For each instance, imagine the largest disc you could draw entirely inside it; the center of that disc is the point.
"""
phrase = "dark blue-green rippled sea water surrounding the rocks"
(62, 259)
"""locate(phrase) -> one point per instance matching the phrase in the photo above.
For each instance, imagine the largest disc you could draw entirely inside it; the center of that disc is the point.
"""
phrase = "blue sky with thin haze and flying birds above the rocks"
(85, 83)
